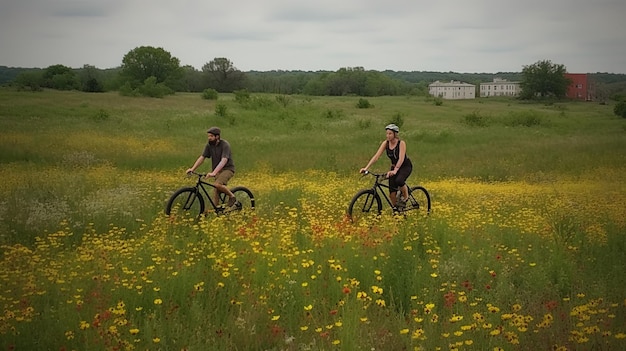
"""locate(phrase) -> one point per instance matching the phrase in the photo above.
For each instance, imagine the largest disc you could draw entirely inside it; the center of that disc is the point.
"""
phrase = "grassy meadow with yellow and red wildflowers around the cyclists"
(524, 249)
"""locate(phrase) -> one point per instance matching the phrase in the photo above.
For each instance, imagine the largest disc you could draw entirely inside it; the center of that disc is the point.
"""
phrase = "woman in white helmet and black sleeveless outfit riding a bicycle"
(401, 166)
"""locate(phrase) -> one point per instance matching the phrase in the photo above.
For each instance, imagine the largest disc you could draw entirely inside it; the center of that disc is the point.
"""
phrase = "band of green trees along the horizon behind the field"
(150, 71)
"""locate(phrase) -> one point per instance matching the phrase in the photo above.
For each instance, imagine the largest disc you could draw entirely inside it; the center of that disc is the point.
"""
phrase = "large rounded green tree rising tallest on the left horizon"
(144, 62)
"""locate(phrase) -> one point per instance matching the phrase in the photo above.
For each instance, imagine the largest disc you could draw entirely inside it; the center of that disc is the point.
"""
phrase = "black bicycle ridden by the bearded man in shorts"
(189, 202)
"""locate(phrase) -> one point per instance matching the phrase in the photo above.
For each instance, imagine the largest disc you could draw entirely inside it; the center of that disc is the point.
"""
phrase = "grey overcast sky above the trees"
(490, 36)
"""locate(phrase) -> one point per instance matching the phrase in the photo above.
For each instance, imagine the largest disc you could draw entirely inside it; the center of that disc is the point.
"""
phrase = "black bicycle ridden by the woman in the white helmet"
(368, 201)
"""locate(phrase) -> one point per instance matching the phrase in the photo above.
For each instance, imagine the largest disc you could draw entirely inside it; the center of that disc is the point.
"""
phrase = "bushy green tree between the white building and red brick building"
(544, 79)
